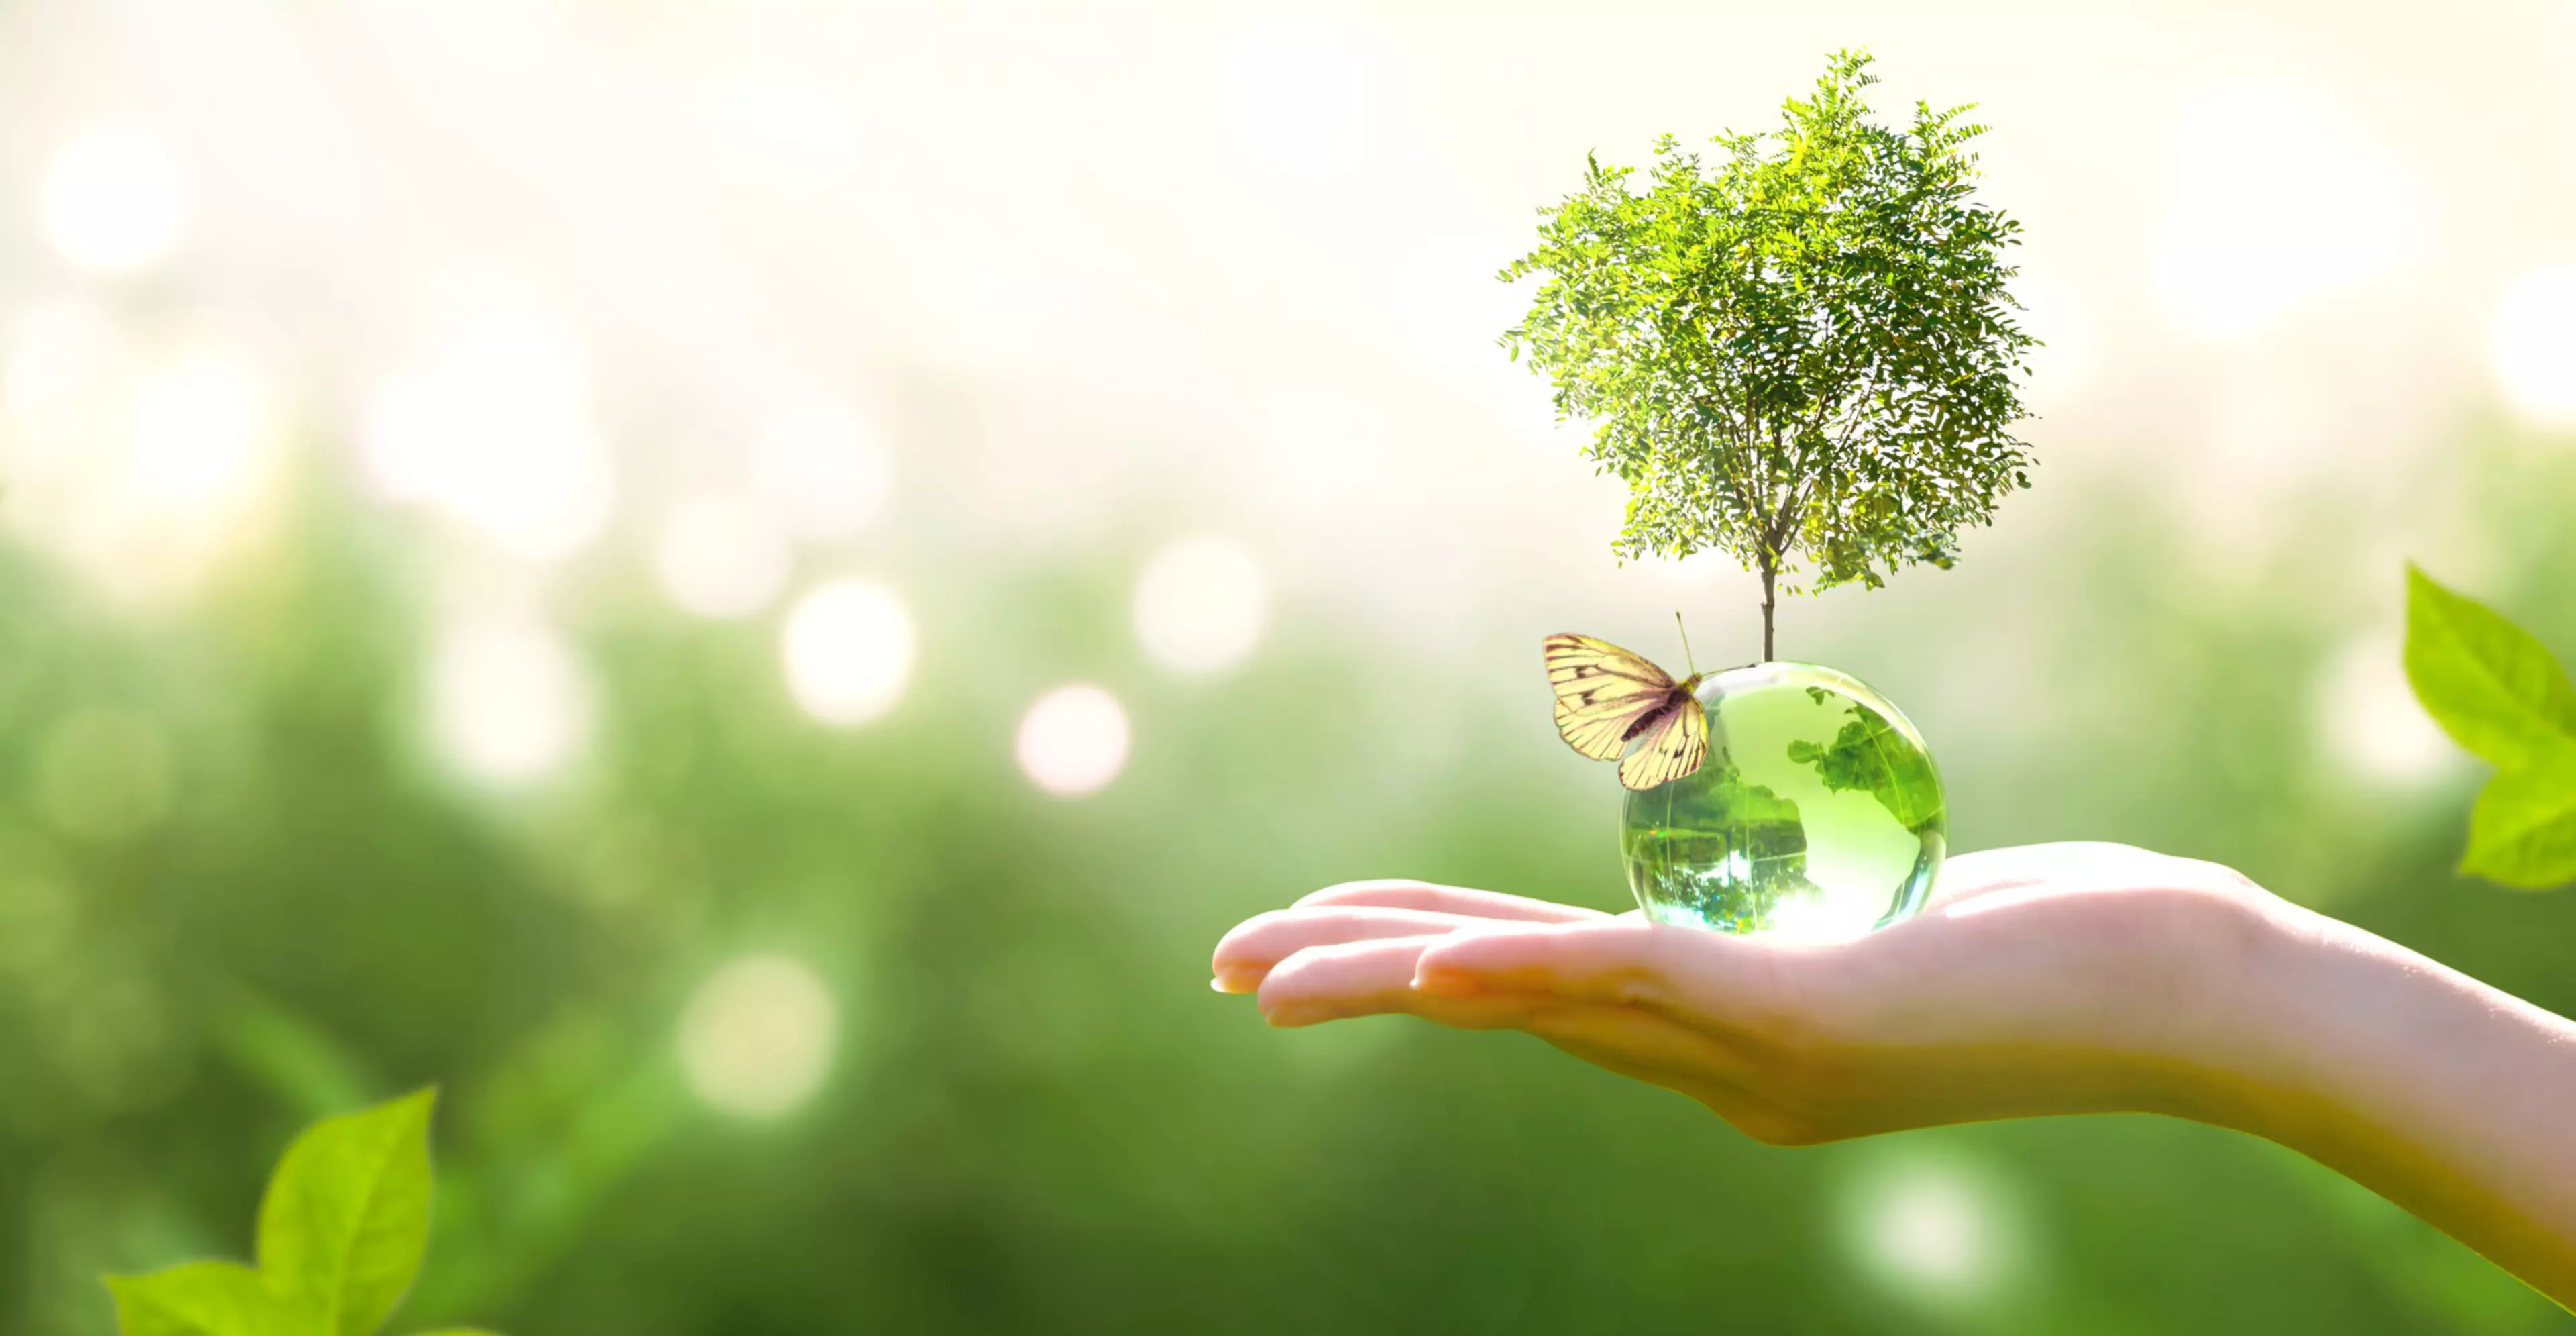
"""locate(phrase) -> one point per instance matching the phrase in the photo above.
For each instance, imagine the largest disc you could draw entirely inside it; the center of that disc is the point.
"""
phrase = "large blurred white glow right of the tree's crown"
(2273, 208)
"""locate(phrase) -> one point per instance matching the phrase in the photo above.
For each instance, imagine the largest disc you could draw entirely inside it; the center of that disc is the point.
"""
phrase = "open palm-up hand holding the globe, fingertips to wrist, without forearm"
(2041, 981)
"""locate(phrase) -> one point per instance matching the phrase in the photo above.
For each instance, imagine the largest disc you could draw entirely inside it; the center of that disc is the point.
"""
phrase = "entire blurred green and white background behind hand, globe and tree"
(751, 587)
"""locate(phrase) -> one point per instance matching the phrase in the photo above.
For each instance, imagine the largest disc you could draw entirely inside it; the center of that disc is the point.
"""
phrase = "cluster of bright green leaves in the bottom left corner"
(344, 1229)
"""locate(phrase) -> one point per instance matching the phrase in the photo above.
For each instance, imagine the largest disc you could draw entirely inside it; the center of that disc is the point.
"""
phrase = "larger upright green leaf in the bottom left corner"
(349, 1213)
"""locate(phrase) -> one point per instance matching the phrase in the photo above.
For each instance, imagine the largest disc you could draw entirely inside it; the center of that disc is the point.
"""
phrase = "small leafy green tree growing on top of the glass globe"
(1799, 357)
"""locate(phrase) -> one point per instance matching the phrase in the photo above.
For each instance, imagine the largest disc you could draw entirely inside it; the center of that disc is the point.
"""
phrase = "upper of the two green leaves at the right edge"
(2487, 682)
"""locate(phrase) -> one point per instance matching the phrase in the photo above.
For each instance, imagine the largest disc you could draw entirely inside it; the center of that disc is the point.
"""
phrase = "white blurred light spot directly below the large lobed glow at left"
(509, 700)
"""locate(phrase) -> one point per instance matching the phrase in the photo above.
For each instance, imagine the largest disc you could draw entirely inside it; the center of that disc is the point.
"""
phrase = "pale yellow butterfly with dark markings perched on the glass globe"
(1614, 705)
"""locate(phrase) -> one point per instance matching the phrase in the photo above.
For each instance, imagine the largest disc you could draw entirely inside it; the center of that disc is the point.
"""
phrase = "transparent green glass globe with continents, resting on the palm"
(1817, 811)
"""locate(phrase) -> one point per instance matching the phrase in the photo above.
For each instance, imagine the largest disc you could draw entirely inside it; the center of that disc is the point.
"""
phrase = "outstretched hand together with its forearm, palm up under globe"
(2054, 979)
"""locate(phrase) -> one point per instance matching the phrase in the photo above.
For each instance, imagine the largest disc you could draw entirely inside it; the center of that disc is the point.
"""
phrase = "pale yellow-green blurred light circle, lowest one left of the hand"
(759, 1036)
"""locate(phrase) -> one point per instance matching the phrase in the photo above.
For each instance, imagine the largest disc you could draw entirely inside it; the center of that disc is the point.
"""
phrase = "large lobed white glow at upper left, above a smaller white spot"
(498, 435)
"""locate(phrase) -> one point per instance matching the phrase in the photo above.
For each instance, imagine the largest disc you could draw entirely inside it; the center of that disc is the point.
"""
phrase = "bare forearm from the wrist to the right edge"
(2418, 1082)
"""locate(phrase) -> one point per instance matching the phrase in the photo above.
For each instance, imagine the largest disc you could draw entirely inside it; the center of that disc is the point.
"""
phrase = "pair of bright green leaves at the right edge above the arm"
(2500, 695)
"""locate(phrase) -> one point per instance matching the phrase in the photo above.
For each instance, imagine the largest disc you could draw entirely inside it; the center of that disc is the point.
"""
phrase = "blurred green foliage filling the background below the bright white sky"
(254, 899)
